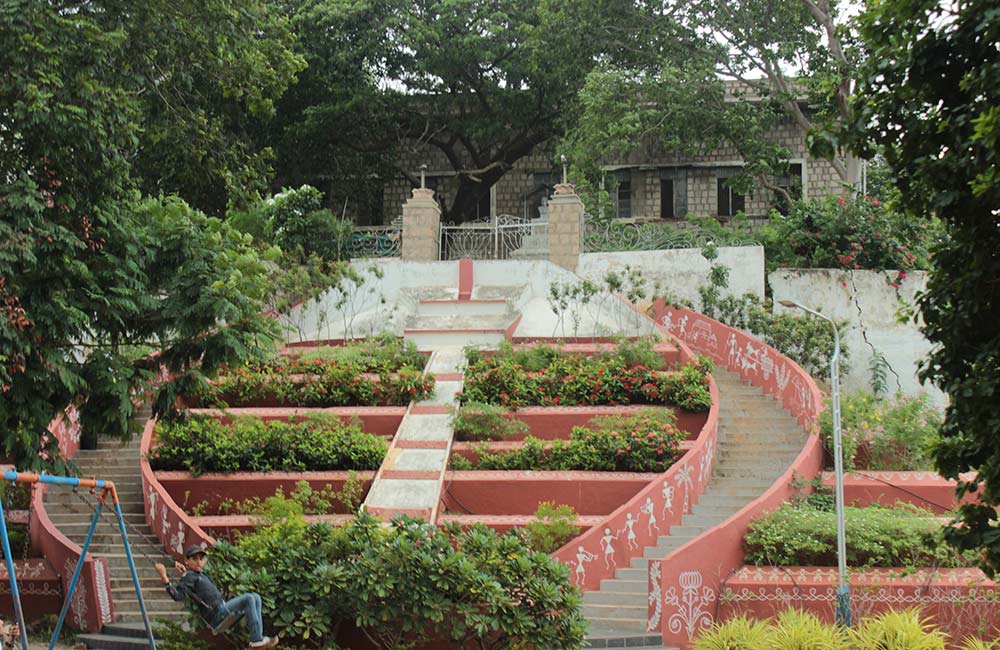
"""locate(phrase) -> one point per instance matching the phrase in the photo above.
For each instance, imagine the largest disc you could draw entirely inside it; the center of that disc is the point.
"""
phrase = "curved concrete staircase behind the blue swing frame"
(72, 515)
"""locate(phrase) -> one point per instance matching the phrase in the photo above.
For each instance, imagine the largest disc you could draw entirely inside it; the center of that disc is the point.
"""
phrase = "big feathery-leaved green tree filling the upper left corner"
(88, 270)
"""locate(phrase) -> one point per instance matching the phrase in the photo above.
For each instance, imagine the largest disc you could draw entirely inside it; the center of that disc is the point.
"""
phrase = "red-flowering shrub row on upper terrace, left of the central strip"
(318, 382)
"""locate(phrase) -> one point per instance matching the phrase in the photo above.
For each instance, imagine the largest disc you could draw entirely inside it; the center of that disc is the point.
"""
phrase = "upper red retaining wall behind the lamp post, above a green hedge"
(927, 490)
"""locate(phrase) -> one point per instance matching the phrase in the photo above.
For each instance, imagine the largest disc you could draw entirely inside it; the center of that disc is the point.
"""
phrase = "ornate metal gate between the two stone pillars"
(500, 238)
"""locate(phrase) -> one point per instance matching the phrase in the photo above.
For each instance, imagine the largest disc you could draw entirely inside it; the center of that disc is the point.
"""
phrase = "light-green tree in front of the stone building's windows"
(793, 60)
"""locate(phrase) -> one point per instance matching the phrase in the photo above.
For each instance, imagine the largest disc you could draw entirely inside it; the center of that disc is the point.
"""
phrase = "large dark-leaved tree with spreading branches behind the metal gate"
(483, 83)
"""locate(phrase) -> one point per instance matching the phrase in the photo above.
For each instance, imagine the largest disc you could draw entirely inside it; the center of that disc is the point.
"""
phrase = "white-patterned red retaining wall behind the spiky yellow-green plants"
(960, 601)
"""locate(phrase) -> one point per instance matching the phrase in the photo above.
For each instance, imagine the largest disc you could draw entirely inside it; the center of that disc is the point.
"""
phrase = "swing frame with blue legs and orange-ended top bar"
(106, 488)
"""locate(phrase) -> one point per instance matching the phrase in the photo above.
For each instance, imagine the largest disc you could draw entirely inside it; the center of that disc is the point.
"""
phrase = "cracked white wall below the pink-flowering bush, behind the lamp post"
(868, 301)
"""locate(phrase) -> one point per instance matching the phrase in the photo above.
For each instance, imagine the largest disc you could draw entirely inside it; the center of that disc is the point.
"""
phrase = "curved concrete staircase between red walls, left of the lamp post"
(758, 440)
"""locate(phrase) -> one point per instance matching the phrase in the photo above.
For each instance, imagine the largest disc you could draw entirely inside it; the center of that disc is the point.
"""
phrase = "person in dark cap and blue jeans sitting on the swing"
(213, 607)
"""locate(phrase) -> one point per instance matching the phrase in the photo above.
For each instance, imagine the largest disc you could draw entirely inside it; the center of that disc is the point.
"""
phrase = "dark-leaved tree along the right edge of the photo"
(930, 97)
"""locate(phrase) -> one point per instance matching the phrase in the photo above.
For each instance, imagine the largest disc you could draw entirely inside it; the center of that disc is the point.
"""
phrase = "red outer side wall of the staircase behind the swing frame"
(90, 606)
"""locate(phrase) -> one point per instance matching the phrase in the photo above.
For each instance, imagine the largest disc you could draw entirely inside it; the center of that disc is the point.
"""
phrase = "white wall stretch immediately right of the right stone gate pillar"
(681, 271)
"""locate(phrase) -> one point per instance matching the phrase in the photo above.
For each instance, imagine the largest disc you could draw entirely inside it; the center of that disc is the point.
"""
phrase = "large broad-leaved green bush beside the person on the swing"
(406, 582)
